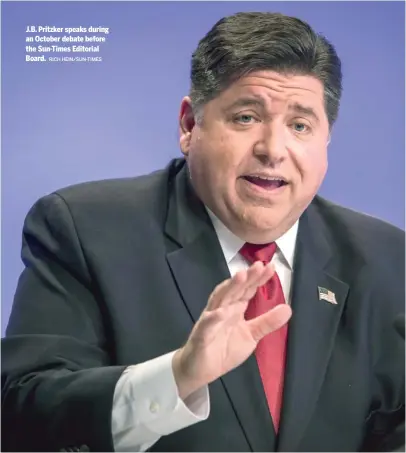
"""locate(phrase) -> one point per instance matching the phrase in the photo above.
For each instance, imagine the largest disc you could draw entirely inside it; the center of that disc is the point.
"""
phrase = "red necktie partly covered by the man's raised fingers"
(271, 350)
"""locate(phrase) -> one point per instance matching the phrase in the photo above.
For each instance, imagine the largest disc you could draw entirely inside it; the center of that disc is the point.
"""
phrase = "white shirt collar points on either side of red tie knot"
(231, 244)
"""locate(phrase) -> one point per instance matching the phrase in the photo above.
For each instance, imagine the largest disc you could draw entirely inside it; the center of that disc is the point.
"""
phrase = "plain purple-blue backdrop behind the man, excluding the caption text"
(64, 123)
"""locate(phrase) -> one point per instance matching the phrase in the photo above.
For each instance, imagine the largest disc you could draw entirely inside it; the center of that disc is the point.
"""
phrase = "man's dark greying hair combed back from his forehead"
(246, 42)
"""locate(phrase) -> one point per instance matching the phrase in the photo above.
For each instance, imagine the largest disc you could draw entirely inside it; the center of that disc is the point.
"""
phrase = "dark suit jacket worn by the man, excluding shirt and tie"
(117, 272)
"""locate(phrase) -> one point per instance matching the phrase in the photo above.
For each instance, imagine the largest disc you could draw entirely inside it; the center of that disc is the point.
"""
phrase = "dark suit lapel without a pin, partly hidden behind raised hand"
(198, 265)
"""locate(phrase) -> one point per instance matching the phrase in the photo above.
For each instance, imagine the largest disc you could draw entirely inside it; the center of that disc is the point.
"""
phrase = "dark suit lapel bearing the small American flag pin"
(312, 329)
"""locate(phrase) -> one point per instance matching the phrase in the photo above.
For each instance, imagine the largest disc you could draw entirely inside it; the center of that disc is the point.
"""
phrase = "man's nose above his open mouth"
(270, 149)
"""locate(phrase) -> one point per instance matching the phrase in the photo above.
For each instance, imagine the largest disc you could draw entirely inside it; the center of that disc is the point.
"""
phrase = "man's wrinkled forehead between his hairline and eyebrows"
(271, 89)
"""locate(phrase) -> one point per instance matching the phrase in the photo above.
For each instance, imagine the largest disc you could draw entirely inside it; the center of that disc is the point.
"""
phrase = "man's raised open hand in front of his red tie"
(222, 339)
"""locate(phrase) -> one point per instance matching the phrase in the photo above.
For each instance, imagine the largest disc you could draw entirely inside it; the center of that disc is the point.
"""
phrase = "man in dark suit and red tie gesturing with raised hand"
(218, 304)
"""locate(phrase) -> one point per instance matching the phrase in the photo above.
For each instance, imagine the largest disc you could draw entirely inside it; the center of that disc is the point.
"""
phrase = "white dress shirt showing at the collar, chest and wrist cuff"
(146, 402)
